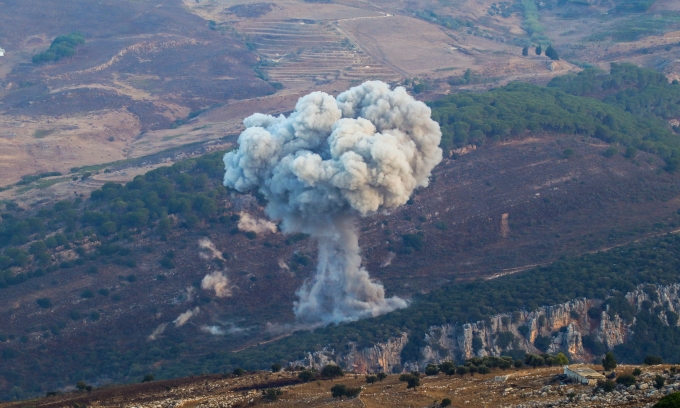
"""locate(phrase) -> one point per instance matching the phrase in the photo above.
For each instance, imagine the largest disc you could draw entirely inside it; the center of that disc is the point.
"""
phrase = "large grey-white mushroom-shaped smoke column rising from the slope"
(333, 160)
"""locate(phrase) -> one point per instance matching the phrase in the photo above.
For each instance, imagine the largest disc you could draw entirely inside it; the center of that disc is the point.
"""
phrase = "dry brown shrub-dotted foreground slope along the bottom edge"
(537, 387)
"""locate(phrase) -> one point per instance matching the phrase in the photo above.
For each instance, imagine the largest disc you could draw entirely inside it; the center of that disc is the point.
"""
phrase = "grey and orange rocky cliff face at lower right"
(557, 328)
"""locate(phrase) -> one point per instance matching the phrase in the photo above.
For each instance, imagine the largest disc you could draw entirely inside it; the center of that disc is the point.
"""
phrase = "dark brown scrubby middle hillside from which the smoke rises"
(122, 273)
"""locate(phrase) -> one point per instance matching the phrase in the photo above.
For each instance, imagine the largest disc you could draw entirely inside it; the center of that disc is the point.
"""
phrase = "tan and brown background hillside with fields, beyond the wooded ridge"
(150, 78)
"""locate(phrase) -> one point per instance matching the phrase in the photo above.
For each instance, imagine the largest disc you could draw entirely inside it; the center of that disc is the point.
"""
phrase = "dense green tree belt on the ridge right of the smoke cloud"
(633, 116)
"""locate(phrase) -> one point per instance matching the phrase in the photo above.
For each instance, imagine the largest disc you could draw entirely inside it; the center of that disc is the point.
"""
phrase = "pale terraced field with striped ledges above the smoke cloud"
(301, 53)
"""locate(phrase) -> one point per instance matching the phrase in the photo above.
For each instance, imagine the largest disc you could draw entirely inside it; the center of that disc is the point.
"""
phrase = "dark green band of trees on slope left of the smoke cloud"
(187, 190)
